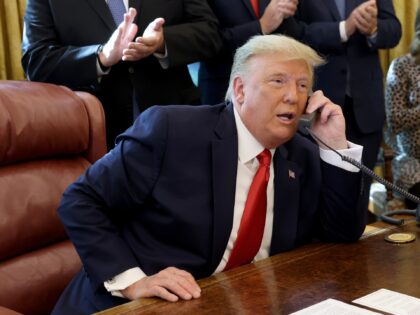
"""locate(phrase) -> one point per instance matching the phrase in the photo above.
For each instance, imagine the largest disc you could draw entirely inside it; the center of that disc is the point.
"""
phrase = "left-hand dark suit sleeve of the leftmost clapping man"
(46, 59)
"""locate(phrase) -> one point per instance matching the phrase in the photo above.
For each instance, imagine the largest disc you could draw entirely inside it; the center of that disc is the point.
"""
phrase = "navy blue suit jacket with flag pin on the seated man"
(165, 197)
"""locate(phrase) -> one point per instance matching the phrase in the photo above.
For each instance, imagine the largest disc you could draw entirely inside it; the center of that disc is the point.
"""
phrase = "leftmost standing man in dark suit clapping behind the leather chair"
(75, 43)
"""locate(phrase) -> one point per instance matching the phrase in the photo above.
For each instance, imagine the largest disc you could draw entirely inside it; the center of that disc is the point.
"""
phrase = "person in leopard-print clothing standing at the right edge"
(402, 107)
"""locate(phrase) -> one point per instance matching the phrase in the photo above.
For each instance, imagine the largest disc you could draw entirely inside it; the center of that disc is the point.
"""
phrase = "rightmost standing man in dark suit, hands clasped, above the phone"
(349, 33)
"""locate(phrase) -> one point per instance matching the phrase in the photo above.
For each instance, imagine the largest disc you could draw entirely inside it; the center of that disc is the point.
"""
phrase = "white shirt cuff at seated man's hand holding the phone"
(354, 151)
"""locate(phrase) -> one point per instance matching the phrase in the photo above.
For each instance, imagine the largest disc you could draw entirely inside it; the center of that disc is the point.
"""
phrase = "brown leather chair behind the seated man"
(48, 136)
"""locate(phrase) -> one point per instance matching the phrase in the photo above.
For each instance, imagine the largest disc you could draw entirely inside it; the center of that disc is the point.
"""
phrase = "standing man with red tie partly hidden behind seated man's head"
(239, 21)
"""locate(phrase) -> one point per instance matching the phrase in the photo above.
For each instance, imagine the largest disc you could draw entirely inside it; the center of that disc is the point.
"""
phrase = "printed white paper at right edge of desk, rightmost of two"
(391, 302)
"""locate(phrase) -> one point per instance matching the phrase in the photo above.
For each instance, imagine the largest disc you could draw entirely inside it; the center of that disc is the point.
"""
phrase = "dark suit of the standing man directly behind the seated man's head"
(237, 22)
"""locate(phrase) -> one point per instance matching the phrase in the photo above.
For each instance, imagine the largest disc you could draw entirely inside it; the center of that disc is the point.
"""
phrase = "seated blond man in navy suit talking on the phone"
(167, 205)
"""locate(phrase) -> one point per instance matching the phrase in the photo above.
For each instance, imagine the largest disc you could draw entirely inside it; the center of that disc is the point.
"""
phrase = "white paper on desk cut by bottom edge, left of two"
(333, 307)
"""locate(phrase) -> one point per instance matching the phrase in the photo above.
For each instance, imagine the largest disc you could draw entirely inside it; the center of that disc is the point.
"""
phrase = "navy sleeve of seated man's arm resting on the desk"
(118, 184)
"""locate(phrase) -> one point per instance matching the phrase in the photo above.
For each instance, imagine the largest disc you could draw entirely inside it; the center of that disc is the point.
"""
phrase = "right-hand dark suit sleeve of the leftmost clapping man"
(196, 38)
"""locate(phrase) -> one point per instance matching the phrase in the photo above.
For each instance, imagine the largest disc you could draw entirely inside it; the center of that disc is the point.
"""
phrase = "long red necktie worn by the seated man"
(252, 225)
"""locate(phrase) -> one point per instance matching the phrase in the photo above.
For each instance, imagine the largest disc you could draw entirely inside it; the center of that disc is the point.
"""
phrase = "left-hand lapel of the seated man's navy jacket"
(224, 163)
